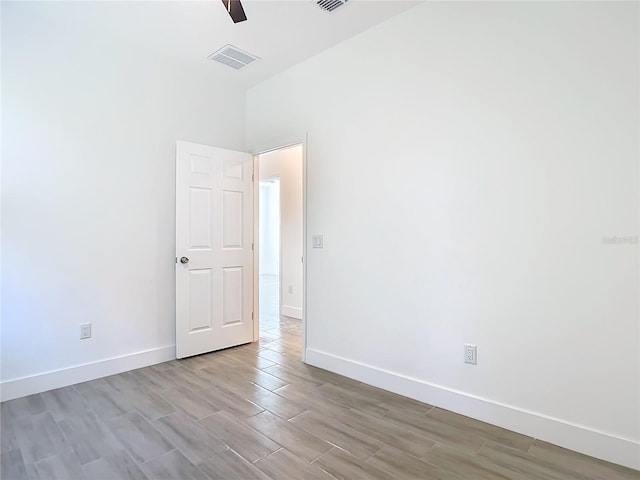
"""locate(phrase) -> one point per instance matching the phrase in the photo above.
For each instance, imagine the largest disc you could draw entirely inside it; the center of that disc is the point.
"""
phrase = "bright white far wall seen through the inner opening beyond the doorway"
(270, 227)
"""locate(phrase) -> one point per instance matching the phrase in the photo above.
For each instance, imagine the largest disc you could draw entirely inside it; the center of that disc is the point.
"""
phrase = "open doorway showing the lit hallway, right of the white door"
(280, 242)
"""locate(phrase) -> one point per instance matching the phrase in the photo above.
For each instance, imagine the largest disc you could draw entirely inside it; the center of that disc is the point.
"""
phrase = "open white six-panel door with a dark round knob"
(214, 258)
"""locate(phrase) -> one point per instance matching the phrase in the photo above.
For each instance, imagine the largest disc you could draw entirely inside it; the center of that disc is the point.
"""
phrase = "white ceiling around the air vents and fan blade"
(281, 33)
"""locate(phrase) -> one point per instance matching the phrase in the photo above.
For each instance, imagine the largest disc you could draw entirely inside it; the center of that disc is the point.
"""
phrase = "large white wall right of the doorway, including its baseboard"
(465, 161)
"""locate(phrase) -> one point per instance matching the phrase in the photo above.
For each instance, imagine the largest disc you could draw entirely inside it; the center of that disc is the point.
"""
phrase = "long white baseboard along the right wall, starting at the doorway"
(579, 438)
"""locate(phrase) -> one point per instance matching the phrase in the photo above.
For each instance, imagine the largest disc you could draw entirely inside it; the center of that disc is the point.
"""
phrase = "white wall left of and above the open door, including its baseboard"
(89, 125)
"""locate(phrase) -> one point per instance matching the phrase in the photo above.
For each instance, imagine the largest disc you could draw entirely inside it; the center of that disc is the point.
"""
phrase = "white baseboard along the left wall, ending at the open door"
(42, 382)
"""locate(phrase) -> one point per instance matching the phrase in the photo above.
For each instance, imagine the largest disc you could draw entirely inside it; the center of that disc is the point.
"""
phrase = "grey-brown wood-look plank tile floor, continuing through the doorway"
(257, 412)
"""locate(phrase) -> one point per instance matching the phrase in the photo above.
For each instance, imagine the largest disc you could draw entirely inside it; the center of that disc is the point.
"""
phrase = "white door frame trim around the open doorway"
(256, 231)
